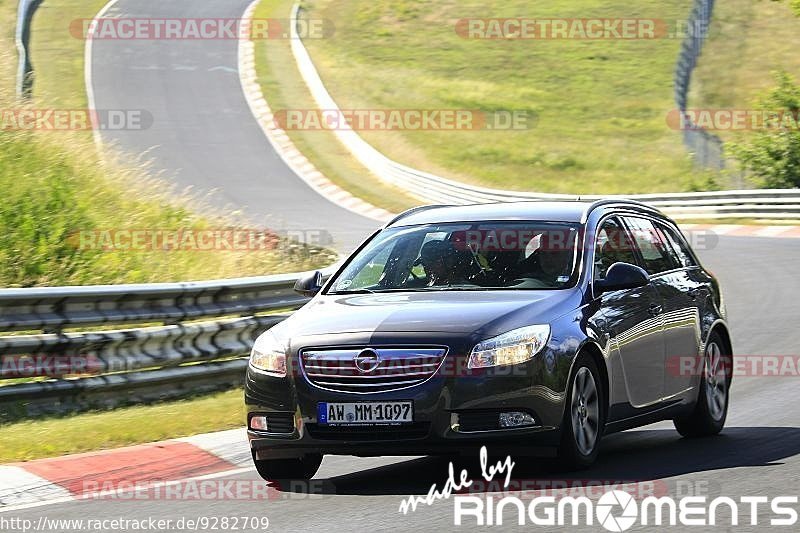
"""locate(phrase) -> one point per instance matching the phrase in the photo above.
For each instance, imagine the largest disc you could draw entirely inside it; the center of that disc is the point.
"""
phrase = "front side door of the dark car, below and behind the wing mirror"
(632, 319)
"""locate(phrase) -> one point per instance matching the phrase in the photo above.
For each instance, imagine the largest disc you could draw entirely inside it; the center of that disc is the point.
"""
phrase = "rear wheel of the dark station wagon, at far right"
(711, 409)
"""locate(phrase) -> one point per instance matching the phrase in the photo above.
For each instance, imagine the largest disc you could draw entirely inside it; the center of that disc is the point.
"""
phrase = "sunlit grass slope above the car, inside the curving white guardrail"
(601, 104)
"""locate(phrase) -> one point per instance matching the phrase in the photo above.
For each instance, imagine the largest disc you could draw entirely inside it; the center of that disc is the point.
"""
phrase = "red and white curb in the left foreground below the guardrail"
(81, 476)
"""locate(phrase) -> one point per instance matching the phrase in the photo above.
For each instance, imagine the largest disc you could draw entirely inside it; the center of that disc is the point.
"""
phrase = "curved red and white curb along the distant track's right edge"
(284, 146)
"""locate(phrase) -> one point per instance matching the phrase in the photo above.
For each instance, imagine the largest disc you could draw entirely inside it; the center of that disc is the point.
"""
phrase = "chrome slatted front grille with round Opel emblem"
(365, 370)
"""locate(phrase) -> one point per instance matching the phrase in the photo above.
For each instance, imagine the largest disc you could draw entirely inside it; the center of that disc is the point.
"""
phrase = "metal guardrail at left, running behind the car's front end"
(206, 330)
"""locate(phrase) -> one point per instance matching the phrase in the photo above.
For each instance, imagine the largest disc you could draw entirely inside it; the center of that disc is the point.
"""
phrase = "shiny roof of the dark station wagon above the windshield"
(575, 211)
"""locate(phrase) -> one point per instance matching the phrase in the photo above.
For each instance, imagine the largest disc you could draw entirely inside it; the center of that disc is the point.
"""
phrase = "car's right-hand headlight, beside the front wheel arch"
(511, 348)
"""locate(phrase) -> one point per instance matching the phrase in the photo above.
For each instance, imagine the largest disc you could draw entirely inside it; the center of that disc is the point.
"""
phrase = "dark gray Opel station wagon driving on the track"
(529, 328)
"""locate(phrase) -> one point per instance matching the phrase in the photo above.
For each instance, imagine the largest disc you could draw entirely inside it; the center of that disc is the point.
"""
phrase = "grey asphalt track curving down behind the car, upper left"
(204, 136)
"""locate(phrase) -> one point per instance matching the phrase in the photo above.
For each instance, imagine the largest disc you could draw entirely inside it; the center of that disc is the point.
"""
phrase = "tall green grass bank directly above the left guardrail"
(54, 186)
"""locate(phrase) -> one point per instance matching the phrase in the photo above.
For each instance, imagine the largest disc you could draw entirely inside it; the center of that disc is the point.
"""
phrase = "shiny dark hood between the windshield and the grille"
(490, 312)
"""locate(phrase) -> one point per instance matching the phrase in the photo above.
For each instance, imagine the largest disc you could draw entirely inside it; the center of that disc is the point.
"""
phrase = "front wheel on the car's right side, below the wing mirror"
(584, 421)
